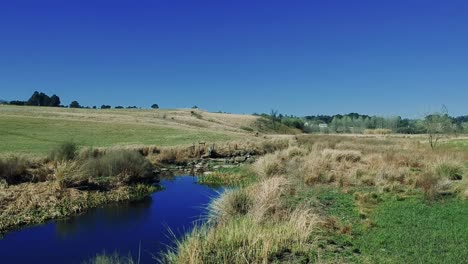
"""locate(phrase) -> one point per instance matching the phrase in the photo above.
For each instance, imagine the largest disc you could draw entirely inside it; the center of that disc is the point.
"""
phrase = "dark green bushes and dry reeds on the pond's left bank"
(68, 183)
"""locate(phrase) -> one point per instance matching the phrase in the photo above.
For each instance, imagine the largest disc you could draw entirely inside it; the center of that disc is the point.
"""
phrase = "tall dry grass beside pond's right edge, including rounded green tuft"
(249, 225)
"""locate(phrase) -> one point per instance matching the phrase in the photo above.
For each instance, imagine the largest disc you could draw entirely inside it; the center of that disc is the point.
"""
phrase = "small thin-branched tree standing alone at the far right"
(437, 126)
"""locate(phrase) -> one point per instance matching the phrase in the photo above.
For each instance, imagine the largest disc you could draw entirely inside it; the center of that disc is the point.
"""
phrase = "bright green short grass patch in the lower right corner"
(410, 230)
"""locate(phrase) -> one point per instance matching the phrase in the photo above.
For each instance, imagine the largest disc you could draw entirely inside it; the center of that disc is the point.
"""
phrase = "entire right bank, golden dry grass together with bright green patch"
(339, 199)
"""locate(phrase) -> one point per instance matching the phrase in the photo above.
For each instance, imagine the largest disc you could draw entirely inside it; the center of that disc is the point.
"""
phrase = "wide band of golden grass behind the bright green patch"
(394, 165)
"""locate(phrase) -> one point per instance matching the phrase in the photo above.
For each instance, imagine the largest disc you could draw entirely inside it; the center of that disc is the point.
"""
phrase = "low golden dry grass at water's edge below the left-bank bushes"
(34, 203)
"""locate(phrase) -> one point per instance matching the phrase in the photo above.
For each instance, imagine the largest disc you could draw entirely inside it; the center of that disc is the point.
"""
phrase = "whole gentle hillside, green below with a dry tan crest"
(36, 130)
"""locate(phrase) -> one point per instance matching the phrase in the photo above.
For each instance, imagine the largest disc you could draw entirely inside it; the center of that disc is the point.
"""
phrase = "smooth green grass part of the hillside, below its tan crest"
(37, 135)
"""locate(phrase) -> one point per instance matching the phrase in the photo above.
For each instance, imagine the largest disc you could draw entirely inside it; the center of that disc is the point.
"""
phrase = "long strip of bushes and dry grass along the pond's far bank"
(72, 179)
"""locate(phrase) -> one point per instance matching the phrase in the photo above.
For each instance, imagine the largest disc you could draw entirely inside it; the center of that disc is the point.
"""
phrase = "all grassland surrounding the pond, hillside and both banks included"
(307, 198)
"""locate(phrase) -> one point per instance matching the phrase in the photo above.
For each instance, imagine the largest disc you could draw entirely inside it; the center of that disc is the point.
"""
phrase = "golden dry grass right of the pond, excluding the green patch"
(259, 223)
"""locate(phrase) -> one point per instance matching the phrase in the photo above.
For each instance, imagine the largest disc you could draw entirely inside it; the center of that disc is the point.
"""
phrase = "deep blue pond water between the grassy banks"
(116, 228)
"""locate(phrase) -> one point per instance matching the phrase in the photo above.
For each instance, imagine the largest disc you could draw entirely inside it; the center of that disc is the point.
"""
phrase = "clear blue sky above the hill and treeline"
(393, 57)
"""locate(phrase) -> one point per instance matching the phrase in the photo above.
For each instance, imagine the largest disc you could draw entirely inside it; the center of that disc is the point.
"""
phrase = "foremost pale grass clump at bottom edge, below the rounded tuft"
(243, 240)
